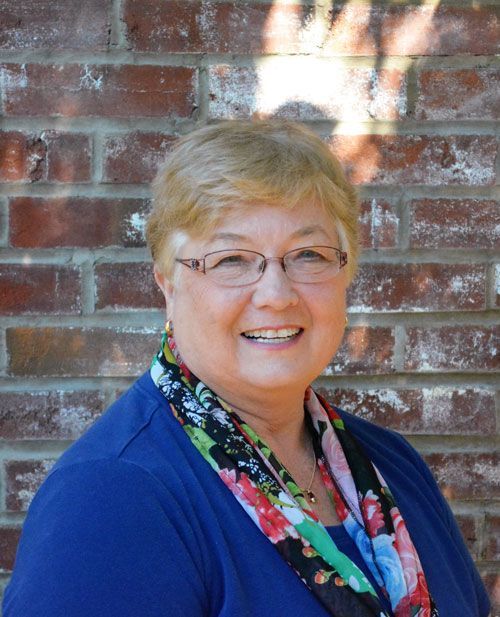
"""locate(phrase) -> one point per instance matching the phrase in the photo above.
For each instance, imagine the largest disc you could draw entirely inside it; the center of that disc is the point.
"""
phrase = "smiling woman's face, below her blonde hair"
(210, 321)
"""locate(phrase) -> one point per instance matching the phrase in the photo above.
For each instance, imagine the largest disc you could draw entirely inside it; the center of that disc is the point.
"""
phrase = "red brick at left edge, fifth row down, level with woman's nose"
(29, 288)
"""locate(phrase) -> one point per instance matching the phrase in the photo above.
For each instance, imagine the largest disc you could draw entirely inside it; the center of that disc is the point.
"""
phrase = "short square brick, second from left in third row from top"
(68, 157)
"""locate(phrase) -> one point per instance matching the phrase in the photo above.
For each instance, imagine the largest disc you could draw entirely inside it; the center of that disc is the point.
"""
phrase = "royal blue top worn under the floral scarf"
(132, 521)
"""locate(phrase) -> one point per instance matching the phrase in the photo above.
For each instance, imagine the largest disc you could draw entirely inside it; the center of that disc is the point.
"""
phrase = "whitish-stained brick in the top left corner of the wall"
(37, 24)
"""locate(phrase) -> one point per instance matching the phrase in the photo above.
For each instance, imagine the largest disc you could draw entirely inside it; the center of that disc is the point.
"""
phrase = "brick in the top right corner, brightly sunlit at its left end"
(384, 30)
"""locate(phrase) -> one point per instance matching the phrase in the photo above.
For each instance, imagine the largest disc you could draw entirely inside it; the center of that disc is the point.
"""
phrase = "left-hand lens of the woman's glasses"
(233, 267)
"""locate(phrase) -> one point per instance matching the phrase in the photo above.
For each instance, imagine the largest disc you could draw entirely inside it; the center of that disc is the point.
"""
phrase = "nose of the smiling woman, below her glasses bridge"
(274, 289)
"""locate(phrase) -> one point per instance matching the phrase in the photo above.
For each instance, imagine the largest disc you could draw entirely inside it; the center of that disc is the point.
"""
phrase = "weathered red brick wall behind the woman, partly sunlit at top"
(94, 93)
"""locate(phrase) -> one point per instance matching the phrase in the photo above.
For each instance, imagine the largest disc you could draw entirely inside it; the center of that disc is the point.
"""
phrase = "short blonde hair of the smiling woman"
(243, 162)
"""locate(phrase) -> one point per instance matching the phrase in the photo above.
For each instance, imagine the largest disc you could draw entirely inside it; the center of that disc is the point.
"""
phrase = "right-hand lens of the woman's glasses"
(312, 263)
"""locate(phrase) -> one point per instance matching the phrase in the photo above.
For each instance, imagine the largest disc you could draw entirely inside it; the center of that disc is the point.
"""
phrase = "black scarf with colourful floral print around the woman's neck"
(269, 495)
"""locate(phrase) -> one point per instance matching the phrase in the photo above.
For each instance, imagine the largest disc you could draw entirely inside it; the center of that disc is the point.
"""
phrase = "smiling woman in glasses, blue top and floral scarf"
(220, 483)
